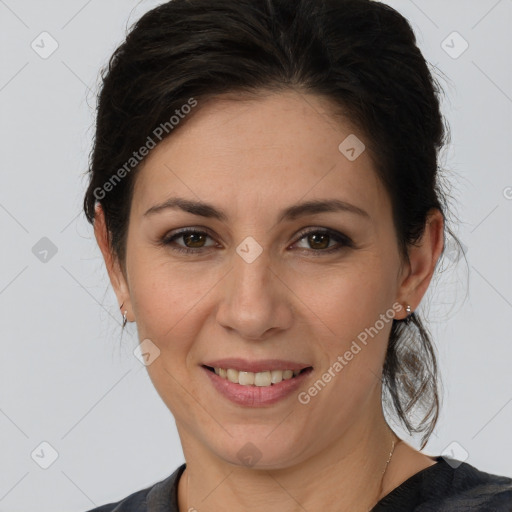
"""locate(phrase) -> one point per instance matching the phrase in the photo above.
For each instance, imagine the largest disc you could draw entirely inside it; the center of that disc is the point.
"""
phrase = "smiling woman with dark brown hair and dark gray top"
(265, 192)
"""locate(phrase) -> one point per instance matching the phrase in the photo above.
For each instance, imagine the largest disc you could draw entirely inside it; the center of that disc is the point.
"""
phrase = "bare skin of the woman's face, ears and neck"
(252, 159)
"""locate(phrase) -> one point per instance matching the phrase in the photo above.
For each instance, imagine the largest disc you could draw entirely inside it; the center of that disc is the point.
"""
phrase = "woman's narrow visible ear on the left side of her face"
(117, 278)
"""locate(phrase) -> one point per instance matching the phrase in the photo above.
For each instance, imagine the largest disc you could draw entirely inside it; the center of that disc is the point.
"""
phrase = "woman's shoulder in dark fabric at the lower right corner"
(450, 486)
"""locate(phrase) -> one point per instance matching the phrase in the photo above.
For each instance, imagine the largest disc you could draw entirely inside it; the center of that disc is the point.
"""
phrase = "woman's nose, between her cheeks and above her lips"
(255, 302)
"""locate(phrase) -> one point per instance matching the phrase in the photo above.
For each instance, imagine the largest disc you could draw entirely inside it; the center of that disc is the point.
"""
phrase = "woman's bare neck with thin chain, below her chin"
(346, 476)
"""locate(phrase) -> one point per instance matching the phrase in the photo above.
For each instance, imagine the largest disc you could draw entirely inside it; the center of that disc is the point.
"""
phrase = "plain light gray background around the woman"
(67, 378)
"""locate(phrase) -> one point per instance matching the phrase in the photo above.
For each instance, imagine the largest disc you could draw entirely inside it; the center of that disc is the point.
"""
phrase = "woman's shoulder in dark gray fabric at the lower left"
(160, 496)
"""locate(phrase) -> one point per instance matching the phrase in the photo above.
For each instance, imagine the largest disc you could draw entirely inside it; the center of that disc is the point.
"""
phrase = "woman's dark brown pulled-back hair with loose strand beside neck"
(360, 54)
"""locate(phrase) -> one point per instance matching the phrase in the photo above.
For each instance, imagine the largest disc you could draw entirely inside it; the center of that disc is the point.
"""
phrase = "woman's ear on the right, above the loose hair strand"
(423, 257)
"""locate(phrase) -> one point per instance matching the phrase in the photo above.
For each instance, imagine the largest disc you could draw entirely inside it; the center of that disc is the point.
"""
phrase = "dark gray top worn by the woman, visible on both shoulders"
(444, 487)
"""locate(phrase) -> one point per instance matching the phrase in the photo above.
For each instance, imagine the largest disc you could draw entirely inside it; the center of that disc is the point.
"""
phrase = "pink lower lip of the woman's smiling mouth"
(256, 396)
